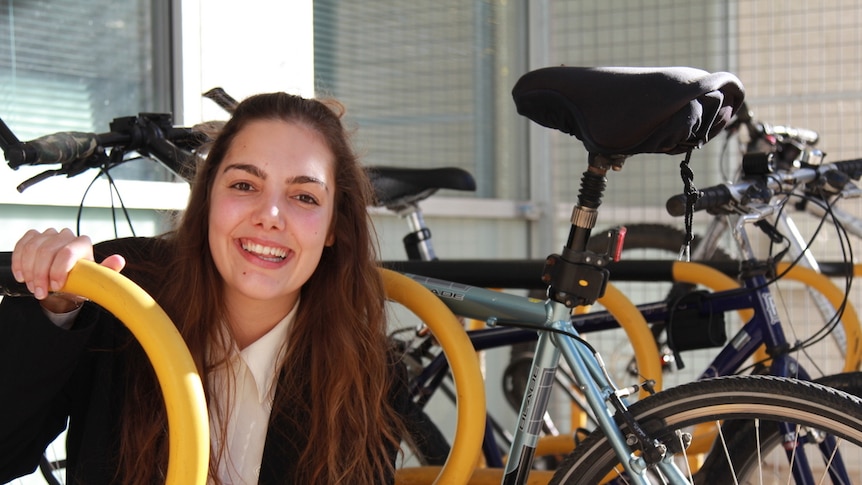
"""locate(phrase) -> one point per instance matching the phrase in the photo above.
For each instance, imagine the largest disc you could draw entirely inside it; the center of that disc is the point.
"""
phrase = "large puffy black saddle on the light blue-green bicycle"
(630, 110)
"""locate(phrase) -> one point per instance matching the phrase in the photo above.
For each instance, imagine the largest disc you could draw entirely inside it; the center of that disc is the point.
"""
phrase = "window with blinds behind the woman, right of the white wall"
(427, 83)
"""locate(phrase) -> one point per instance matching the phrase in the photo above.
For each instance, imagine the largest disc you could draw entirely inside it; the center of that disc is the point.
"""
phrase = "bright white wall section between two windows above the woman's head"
(244, 47)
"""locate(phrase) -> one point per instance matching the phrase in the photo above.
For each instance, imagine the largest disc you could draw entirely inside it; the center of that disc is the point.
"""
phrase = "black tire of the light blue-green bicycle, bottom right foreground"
(722, 399)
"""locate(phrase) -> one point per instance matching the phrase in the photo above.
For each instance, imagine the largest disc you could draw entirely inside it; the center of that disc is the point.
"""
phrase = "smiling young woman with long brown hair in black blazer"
(270, 276)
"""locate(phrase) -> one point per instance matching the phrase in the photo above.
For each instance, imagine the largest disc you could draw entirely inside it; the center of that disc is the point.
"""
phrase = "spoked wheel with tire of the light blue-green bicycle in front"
(740, 404)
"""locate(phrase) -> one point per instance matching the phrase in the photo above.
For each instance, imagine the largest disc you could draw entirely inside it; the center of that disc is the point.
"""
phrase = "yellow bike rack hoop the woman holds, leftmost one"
(188, 423)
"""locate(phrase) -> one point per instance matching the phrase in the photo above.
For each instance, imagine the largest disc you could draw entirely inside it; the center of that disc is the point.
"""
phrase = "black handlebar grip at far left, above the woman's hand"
(58, 148)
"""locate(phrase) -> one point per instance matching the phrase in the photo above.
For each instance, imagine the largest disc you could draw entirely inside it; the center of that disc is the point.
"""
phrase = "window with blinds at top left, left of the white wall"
(75, 65)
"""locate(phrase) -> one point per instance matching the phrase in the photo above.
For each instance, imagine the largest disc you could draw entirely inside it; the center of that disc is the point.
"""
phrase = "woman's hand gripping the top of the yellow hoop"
(42, 260)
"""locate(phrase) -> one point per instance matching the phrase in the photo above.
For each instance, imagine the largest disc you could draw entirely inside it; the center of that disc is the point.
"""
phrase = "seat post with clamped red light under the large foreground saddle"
(578, 276)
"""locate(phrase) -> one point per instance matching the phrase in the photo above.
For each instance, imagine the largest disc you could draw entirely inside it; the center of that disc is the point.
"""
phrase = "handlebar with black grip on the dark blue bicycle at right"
(719, 198)
